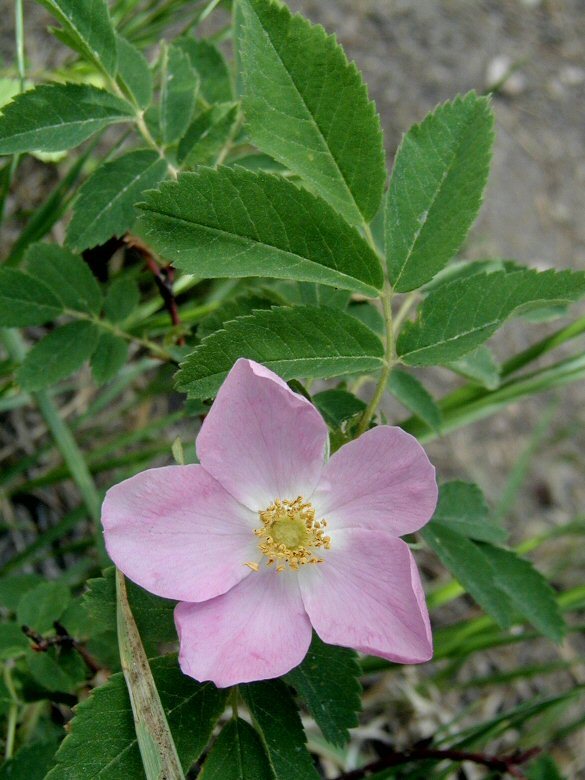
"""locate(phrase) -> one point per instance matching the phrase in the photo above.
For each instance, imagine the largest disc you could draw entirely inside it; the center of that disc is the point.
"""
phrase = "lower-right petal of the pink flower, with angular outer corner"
(367, 595)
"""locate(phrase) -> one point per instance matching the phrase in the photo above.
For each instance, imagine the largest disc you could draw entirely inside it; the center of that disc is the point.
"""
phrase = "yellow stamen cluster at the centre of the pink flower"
(290, 534)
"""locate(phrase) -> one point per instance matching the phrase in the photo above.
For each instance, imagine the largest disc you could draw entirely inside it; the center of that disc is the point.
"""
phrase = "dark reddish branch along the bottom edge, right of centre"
(505, 764)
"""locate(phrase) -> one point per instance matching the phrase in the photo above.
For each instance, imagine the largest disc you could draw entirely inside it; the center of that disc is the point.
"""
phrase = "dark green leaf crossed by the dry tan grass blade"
(102, 740)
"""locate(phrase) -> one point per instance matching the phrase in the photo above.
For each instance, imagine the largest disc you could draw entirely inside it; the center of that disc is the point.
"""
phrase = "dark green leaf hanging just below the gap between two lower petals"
(328, 682)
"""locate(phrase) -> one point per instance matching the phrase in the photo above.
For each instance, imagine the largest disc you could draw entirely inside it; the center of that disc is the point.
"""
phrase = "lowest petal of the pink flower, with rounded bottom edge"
(256, 631)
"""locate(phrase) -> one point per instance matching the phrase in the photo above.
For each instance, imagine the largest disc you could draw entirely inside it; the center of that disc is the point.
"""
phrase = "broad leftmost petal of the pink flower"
(176, 532)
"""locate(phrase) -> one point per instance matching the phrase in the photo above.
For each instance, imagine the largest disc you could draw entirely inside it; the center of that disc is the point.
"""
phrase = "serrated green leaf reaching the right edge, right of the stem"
(456, 318)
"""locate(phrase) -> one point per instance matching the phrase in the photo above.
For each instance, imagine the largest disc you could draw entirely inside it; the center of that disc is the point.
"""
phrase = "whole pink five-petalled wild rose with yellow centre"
(269, 538)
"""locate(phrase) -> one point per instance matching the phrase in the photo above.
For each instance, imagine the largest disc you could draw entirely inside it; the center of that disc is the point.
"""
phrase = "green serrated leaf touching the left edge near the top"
(54, 117)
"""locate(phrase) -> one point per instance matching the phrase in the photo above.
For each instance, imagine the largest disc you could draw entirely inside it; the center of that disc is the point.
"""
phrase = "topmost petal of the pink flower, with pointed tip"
(260, 440)
